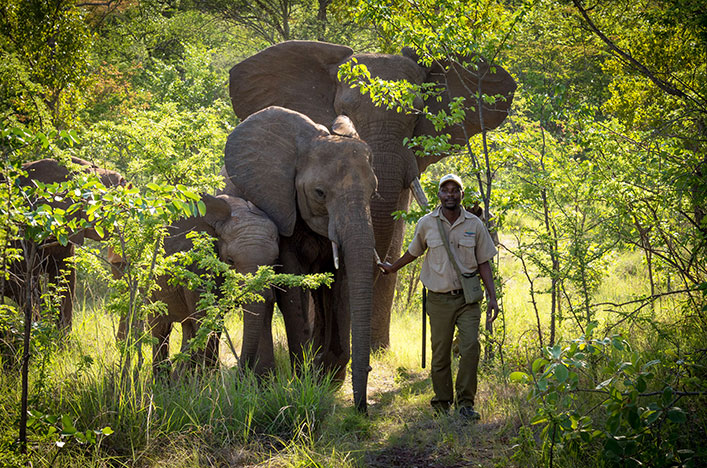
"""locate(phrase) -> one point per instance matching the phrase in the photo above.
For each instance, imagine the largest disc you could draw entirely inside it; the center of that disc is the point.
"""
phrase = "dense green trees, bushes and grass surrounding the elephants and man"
(597, 183)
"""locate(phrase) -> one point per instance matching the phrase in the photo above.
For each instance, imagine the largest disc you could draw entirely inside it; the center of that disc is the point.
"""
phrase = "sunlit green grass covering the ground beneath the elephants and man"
(229, 418)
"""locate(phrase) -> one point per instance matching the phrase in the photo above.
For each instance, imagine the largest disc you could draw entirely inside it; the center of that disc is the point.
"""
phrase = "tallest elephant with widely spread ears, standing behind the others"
(302, 75)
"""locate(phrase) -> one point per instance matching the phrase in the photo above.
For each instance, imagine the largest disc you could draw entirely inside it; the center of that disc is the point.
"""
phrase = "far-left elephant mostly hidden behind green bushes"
(54, 257)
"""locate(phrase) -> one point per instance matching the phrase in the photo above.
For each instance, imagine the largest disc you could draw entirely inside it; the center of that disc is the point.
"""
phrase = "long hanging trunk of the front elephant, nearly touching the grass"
(358, 254)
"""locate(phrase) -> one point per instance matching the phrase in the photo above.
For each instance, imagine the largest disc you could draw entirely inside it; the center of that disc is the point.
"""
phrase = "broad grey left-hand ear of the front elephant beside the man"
(261, 161)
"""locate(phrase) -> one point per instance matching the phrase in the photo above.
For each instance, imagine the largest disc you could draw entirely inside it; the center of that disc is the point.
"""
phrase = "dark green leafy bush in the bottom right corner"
(637, 427)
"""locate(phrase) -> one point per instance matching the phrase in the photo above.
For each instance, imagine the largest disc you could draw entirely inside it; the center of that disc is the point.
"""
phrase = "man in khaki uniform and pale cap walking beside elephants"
(472, 247)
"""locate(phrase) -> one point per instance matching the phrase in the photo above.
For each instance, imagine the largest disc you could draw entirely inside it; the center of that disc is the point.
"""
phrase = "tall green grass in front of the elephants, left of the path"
(215, 409)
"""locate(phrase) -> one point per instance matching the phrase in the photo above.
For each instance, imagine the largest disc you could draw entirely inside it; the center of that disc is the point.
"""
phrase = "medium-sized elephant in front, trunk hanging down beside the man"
(316, 186)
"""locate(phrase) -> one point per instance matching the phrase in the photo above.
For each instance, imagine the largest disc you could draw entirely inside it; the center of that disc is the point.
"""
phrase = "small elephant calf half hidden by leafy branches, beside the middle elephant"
(246, 239)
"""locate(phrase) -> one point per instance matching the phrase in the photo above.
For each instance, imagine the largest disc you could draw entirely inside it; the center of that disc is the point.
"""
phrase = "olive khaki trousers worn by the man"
(447, 311)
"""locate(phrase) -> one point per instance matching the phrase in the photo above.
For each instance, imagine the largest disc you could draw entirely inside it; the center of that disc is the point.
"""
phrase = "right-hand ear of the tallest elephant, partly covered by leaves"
(463, 81)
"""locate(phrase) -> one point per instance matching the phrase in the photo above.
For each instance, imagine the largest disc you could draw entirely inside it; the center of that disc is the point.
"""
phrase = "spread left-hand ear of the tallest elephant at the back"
(298, 75)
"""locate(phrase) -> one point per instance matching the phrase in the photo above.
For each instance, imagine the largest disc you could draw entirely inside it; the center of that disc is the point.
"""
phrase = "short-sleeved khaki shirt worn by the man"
(470, 242)
